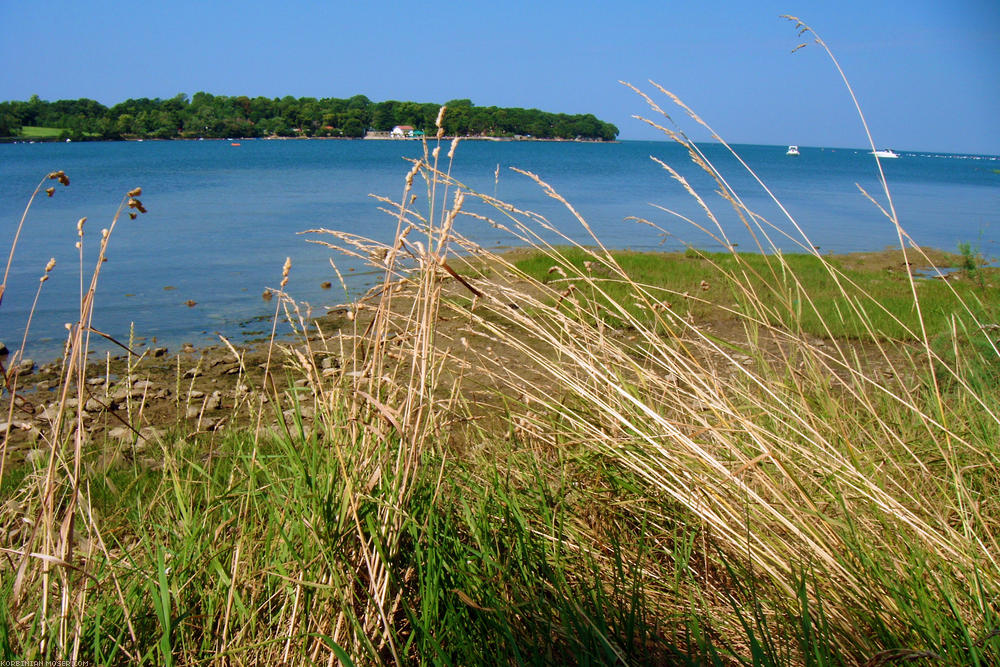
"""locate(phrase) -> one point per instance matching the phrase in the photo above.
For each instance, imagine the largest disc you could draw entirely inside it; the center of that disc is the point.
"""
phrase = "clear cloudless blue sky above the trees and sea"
(927, 72)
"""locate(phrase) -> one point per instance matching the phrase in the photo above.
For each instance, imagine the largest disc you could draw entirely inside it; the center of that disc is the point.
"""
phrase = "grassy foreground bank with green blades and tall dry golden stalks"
(571, 456)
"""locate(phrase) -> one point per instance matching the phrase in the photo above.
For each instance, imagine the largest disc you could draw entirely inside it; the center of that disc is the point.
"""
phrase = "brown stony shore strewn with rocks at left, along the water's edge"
(138, 399)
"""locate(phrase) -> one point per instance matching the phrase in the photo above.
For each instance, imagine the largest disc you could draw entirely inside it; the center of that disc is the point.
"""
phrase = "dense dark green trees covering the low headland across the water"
(216, 116)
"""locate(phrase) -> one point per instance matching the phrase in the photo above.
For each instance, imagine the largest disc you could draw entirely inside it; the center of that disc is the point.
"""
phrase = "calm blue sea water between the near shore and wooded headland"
(222, 219)
